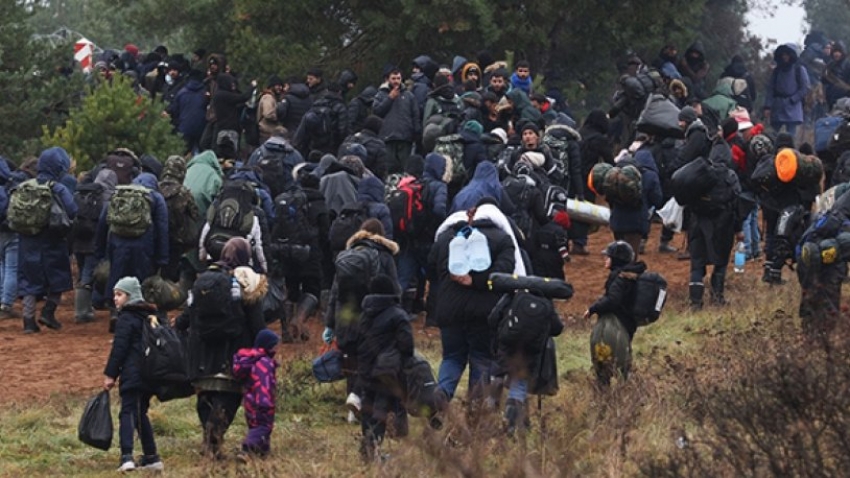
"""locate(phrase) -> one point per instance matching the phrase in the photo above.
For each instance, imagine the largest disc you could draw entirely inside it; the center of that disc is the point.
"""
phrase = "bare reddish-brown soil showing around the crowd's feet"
(33, 367)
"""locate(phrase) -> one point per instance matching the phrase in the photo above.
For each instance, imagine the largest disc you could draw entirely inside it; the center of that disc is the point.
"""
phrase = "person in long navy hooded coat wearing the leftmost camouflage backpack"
(43, 261)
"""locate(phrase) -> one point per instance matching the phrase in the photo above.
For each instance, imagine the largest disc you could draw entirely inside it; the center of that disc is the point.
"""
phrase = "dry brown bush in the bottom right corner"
(781, 411)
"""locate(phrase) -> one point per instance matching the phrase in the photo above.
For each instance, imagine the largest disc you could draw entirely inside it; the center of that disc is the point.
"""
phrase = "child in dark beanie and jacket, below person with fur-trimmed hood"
(385, 332)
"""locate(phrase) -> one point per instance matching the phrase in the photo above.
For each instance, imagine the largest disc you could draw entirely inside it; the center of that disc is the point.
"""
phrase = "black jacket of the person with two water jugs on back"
(455, 303)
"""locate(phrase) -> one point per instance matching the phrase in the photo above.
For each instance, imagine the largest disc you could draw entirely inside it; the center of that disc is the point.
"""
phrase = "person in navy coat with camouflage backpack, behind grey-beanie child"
(133, 231)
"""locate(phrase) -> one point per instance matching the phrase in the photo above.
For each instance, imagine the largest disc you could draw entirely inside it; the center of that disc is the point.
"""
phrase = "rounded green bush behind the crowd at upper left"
(114, 116)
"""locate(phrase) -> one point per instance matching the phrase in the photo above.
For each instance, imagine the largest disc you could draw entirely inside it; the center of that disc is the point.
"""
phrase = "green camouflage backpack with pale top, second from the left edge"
(129, 211)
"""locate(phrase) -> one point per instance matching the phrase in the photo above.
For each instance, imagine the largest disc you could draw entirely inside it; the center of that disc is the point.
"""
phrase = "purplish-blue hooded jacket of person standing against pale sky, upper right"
(787, 87)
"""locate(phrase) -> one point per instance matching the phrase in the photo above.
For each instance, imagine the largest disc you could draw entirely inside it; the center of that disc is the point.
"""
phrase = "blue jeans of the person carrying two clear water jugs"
(462, 344)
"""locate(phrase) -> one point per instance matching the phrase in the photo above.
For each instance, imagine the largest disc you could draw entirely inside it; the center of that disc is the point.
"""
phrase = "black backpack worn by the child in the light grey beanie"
(163, 358)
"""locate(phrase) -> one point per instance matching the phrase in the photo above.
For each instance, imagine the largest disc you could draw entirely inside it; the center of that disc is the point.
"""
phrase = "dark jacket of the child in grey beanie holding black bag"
(125, 358)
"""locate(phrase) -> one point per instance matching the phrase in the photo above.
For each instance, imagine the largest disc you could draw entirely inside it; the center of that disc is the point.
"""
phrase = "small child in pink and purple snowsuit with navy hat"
(256, 368)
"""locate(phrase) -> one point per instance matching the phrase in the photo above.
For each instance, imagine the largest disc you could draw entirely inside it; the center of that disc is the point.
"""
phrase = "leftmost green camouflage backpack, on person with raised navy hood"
(29, 207)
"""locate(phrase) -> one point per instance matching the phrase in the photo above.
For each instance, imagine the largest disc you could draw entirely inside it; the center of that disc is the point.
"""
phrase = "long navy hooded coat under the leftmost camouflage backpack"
(43, 263)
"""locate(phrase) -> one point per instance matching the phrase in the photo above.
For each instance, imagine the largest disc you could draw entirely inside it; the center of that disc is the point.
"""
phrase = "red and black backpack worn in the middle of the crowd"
(408, 208)
